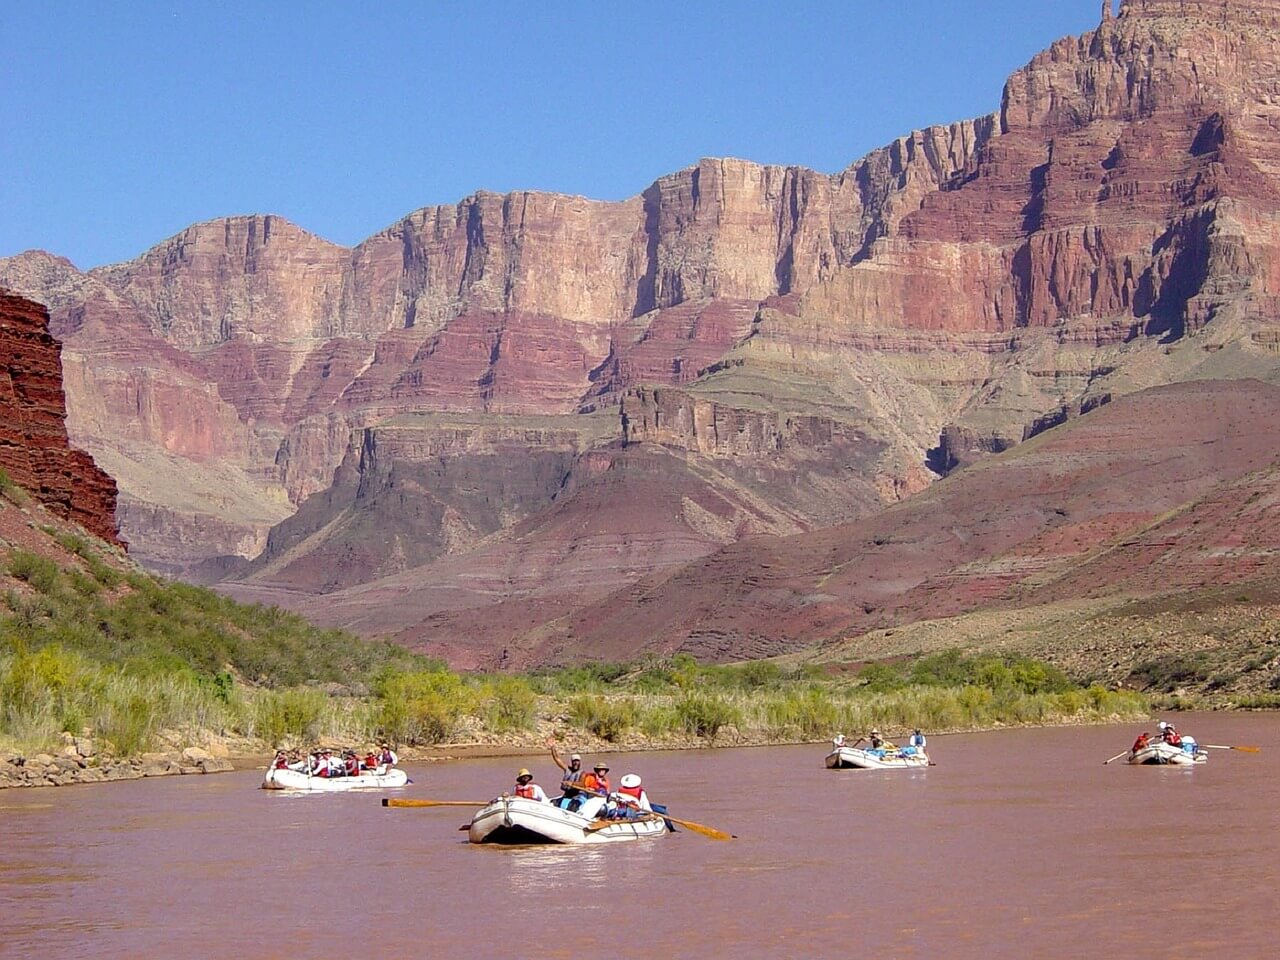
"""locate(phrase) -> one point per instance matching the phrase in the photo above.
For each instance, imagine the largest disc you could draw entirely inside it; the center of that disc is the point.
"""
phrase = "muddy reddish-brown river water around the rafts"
(1018, 844)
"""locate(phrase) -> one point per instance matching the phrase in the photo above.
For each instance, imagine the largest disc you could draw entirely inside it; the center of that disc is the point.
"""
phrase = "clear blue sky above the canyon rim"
(126, 122)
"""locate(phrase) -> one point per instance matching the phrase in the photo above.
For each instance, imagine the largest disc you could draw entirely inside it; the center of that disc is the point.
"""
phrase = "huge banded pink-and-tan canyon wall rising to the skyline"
(798, 349)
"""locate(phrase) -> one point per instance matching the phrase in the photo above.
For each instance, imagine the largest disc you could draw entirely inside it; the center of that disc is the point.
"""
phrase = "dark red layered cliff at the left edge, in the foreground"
(34, 447)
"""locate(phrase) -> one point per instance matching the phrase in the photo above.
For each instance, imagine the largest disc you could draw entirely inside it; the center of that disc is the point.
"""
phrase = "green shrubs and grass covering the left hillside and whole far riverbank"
(94, 650)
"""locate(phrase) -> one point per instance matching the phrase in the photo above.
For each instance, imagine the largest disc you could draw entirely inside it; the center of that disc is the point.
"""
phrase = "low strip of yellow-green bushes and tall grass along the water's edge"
(70, 719)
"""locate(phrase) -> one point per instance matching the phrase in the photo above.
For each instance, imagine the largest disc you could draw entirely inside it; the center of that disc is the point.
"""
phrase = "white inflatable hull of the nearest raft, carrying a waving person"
(513, 820)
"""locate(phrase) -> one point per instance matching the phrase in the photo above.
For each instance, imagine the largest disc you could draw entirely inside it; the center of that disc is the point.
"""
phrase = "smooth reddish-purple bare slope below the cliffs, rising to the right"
(1084, 510)
